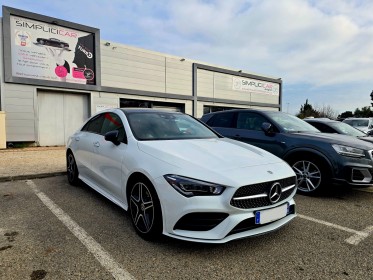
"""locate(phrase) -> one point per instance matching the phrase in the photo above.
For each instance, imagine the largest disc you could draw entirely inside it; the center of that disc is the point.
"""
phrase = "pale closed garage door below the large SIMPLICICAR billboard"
(60, 115)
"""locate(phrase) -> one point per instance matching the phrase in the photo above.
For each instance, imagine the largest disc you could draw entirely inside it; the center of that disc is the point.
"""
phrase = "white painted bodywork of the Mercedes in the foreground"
(107, 167)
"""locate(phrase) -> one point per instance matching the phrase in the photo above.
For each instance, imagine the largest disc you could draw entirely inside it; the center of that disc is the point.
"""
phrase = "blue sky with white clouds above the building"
(321, 49)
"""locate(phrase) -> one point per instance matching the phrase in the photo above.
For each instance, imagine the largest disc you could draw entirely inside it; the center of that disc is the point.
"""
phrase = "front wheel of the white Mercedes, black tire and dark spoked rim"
(145, 209)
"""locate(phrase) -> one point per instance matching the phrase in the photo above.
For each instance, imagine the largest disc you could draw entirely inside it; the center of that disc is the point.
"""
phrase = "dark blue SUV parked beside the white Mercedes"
(317, 158)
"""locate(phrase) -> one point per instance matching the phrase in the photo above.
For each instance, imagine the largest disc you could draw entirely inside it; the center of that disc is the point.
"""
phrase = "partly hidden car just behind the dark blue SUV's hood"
(331, 126)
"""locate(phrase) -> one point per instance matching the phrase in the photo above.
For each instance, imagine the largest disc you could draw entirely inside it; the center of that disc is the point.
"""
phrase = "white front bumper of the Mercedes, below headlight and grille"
(212, 219)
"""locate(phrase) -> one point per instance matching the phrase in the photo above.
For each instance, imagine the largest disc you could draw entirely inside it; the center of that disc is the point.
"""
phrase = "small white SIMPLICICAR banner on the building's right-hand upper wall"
(256, 86)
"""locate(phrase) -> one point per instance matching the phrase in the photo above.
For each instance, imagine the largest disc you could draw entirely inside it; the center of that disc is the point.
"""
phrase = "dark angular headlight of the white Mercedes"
(192, 187)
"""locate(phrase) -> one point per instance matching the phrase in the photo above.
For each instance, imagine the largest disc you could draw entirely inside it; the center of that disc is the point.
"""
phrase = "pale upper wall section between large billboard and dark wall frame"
(132, 68)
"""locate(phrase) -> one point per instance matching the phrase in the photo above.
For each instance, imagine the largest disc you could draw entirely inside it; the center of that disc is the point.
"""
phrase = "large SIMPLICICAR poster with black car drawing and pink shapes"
(50, 52)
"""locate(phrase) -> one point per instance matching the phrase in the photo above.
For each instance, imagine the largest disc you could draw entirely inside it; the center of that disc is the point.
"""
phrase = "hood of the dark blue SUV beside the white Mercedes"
(334, 139)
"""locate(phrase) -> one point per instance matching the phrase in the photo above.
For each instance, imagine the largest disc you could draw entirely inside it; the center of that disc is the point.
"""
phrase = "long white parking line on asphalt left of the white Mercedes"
(103, 257)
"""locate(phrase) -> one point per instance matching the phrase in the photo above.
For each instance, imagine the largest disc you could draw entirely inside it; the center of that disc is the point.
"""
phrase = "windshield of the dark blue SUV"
(290, 123)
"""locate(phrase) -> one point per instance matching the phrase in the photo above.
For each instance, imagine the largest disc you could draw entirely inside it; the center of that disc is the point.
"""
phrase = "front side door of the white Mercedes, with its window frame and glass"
(108, 157)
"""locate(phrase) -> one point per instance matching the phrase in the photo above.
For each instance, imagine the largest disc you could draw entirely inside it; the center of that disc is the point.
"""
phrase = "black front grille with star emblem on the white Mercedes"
(256, 195)
